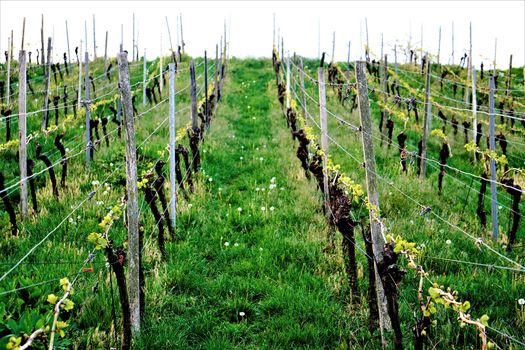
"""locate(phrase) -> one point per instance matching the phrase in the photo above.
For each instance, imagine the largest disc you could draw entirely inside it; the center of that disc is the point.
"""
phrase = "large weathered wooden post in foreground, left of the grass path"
(132, 196)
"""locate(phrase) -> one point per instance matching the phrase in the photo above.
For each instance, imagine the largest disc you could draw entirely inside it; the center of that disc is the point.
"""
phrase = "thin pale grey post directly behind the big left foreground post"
(173, 133)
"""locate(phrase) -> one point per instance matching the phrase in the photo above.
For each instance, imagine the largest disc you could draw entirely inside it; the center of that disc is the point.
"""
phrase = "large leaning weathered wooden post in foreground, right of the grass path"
(378, 240)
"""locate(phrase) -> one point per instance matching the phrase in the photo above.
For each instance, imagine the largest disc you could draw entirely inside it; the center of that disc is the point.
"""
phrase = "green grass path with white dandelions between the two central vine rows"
(249, 271)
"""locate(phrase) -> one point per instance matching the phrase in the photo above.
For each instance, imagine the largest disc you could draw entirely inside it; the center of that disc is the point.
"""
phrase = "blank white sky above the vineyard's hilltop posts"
(297, 21)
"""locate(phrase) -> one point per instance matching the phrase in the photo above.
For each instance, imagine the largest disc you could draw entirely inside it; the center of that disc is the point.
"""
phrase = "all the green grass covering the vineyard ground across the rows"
(240, 276)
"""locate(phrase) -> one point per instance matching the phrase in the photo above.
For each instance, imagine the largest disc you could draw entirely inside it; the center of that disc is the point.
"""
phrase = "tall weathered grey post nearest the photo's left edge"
(22, 148)
